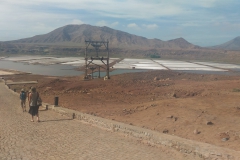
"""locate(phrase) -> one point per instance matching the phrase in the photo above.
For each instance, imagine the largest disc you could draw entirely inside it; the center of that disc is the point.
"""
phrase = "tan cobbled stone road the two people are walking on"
(57, 137)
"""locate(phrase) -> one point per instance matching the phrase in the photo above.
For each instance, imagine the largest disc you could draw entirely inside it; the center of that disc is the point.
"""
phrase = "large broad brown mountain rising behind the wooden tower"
(75, 35)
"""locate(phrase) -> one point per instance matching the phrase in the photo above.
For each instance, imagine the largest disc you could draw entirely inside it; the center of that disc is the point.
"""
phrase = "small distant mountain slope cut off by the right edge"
(230, 45)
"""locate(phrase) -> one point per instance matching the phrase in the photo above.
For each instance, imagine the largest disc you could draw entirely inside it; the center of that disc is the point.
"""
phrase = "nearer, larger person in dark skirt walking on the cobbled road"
(33, 97)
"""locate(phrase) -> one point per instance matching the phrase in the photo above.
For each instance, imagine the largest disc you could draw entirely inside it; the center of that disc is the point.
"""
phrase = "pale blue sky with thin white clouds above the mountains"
(200, 22)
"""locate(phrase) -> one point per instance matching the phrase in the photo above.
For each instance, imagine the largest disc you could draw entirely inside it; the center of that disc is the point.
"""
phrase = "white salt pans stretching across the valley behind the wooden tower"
(127, 63)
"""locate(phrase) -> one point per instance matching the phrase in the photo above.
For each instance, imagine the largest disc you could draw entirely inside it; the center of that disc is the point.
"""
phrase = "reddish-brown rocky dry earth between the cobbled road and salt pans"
(204, 108)
